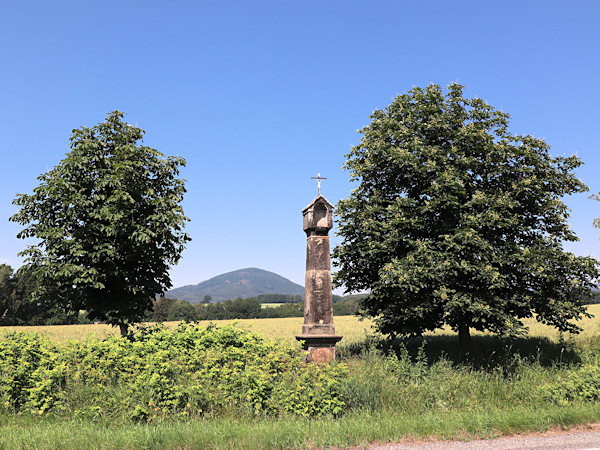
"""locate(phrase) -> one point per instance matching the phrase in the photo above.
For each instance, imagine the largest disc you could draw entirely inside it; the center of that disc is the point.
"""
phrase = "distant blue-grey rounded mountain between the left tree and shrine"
(248, 282)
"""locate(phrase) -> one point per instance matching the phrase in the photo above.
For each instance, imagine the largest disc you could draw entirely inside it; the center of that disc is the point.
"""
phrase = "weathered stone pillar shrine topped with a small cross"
(318, 333)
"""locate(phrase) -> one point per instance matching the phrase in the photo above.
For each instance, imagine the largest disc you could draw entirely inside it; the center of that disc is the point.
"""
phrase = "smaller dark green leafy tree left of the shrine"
(109, 224)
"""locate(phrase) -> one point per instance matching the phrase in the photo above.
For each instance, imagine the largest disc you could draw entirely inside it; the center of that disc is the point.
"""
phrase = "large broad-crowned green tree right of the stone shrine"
(457, 221)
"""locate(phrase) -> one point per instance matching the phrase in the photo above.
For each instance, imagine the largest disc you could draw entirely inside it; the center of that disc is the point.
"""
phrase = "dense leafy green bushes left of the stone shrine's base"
(157, 373)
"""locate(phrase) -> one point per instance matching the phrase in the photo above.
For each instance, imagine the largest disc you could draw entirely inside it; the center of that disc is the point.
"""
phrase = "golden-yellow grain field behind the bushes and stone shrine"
(285, 329)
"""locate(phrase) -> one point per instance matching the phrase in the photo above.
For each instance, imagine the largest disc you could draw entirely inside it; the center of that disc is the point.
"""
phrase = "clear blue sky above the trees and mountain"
(258, 96)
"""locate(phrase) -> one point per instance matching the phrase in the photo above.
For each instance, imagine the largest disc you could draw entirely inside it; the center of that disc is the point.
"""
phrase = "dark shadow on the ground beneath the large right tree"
(488, 352)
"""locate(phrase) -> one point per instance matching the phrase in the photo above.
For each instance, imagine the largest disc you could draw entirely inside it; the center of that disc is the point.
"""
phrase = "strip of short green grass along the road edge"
(360, 428)
